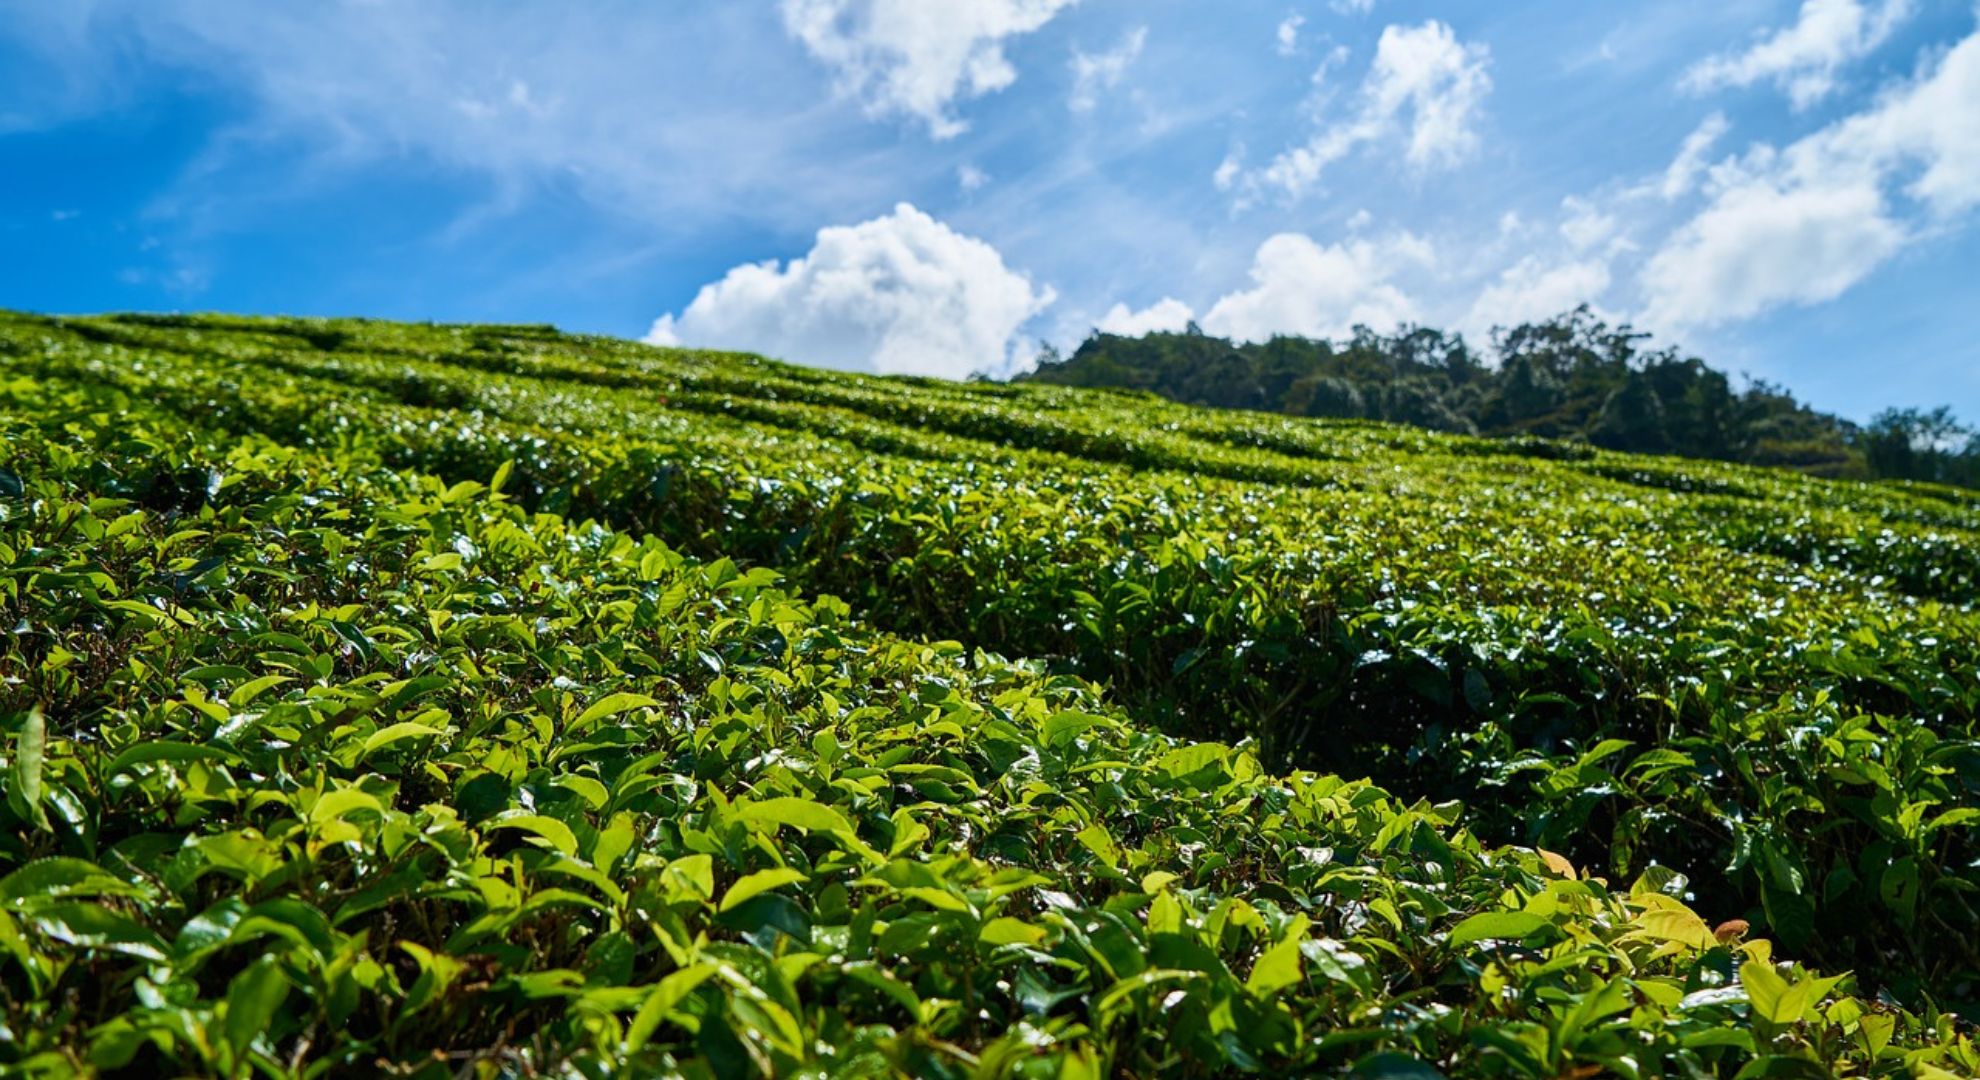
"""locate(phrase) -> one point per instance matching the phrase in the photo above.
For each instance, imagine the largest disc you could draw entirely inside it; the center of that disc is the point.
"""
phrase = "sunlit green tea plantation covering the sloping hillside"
(494, 702)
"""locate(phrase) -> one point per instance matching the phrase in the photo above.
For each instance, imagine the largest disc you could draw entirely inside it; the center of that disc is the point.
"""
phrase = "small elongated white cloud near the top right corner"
(1805, 58)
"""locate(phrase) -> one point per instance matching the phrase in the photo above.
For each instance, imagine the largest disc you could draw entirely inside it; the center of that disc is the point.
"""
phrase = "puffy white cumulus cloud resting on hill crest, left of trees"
(902, 294)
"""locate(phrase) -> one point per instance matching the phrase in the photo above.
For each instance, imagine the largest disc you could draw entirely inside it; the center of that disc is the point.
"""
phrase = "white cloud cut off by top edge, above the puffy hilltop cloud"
(918, 58)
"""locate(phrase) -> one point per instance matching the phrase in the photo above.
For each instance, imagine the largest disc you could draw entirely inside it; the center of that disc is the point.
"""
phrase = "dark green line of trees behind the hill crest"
(1573, 378)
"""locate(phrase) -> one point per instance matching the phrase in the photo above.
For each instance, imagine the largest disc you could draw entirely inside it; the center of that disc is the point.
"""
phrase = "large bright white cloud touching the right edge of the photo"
(1809, 223)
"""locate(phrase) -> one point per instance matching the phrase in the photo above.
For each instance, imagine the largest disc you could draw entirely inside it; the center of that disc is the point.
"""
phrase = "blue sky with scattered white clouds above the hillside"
(1787, 189)
